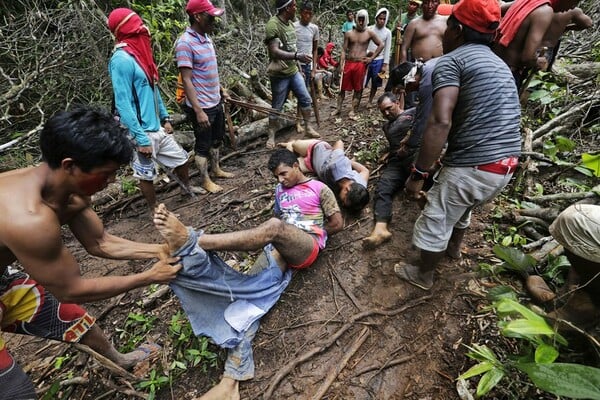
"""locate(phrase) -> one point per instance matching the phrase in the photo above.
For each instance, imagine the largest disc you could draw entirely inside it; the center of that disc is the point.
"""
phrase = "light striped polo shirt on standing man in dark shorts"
(196, 51)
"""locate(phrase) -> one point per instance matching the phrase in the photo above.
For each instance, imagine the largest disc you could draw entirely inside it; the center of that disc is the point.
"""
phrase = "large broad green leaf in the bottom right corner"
(562, 379)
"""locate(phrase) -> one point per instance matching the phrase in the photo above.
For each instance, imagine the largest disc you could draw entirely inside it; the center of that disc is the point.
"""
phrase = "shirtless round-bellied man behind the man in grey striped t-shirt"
(423, 36)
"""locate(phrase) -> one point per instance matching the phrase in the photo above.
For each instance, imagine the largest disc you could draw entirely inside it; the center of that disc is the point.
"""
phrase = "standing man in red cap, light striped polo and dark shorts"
(197, 63)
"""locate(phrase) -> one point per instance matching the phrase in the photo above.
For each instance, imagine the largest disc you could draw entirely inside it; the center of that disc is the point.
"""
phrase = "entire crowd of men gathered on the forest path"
(452, 115)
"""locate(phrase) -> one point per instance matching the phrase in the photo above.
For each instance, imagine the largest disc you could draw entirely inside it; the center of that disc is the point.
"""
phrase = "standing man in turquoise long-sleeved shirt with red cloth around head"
(140, 106)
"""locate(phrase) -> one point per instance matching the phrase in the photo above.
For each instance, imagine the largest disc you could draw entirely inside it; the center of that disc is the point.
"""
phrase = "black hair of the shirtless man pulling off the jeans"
(90, 136)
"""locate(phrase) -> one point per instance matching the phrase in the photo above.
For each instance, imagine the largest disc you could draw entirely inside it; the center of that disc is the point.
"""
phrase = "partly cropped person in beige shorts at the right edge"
(577, 228)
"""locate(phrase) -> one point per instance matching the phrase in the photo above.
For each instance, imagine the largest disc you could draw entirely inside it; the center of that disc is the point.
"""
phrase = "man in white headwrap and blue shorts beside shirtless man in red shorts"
(379, 66)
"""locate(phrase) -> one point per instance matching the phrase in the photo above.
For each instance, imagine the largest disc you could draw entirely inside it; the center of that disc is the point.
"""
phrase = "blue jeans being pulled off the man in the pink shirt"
(224, 304)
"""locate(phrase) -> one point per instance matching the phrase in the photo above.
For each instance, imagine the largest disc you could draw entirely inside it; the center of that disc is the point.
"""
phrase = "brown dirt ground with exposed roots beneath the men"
(346, 328)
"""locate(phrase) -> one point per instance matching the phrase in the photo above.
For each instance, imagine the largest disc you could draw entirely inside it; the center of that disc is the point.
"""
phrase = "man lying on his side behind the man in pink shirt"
(347, 178)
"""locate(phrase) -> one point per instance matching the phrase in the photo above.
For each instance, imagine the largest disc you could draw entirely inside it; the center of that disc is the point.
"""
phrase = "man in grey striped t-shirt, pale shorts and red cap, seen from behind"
(476, 111)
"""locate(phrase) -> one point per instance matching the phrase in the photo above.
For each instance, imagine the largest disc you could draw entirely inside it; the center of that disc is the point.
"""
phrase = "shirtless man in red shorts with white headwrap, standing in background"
(354, 61)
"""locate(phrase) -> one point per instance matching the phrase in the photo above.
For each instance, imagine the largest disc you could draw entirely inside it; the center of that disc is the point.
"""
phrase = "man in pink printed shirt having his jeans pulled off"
(226, 305)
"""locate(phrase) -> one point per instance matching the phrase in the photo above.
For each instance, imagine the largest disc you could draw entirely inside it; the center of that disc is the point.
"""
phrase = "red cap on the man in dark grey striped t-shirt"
(480, 15)
